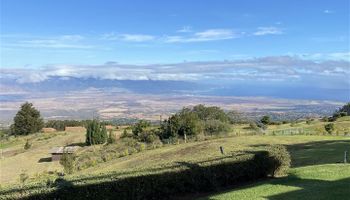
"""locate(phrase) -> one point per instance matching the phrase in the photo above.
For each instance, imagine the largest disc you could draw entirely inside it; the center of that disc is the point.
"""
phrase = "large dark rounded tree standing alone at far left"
(27, 120)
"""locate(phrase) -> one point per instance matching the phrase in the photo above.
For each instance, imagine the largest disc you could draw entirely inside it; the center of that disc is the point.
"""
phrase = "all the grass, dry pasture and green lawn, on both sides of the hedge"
(316, 161)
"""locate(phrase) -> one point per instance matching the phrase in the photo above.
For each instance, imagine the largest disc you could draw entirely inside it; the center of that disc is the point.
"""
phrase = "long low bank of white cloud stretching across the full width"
(277, 68)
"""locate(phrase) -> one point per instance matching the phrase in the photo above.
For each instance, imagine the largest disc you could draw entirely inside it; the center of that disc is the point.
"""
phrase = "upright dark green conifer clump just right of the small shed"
(96, 133)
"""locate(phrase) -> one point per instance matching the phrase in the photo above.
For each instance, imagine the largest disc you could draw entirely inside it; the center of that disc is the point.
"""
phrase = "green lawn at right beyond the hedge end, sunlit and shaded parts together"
(316, 174)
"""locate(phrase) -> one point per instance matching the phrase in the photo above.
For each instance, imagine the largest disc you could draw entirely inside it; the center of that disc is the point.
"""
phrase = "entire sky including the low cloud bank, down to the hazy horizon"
(274, 46)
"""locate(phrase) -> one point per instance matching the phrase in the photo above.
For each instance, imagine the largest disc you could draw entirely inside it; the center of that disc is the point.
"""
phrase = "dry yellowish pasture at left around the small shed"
(15, 159)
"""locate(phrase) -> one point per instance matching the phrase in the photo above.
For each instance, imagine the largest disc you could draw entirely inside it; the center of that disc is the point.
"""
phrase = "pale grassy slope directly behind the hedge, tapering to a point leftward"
(170, 155)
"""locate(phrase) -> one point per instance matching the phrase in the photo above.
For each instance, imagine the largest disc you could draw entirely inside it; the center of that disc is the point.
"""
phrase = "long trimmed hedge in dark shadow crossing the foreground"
(186, 178)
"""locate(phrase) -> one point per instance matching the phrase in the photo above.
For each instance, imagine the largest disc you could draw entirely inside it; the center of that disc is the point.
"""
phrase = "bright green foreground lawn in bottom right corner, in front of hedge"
(329, 181)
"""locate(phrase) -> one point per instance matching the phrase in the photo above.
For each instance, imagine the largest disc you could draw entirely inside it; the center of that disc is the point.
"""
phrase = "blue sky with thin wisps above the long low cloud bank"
(38, 32)
